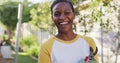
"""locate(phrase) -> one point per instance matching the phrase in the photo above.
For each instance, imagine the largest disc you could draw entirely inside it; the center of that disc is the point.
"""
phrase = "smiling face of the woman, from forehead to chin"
(63, 16)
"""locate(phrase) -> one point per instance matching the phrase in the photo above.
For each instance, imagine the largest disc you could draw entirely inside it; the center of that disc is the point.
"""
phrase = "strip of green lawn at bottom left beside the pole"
(24, 58)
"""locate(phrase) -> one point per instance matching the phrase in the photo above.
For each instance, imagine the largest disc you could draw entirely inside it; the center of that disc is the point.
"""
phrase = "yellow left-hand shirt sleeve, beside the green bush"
(45, 51)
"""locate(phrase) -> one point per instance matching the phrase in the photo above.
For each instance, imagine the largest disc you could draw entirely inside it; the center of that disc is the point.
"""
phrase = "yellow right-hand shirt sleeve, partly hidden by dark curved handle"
(91, 42)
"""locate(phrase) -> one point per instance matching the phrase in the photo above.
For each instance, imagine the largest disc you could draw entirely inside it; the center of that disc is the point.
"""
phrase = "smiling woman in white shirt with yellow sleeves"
(66, 46)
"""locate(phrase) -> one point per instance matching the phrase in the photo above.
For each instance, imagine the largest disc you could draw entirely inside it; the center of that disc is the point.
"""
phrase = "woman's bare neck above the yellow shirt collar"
(66, 36)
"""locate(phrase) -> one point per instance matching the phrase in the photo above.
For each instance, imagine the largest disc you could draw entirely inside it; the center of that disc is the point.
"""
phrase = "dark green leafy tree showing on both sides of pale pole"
(9, 11)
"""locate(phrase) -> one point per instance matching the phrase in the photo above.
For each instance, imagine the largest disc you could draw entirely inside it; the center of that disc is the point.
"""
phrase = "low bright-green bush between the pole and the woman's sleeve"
(30, 45)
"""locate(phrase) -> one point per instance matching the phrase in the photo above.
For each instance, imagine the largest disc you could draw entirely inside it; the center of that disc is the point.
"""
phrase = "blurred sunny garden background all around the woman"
(99, 19)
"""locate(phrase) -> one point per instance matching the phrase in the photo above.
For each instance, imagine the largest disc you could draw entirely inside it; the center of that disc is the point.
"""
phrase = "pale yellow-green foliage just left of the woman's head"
(41, 18)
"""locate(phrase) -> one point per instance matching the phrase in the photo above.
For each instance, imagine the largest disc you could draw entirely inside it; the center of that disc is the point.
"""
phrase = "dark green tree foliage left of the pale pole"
(8, 17)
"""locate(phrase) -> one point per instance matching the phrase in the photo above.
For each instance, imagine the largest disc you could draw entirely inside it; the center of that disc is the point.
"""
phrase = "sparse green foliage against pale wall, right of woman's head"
(95, 12)
